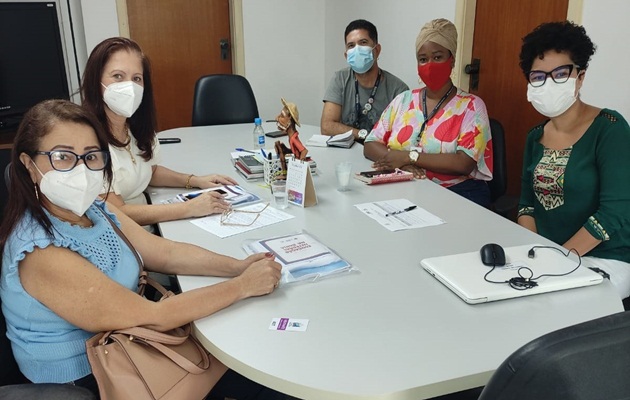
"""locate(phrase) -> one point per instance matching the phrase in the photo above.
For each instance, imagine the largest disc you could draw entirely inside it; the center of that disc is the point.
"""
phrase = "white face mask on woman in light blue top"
(73, 190)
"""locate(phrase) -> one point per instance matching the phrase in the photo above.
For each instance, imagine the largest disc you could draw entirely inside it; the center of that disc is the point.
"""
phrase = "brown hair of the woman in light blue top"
(36, 124)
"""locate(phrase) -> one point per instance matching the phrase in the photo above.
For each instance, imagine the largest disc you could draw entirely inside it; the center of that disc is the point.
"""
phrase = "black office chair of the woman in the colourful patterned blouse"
(501, 203)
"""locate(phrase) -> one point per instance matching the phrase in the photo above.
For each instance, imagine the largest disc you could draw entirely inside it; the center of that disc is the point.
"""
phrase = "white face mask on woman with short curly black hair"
(552, 99)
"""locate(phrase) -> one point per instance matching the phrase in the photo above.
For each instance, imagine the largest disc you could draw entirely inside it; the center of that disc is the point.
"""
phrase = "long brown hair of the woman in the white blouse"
(143, 122)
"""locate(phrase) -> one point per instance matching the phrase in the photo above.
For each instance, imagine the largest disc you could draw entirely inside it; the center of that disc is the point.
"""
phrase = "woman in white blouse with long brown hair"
(117, 88)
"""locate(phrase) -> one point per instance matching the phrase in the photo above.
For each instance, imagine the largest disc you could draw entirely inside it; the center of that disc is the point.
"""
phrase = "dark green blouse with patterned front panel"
(585, 185)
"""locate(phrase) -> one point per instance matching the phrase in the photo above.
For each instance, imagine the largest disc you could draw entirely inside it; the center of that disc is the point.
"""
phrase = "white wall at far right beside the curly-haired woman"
(607, 83)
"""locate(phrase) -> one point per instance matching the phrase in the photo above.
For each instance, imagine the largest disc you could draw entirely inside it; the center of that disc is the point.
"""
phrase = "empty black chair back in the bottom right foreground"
(587, 361)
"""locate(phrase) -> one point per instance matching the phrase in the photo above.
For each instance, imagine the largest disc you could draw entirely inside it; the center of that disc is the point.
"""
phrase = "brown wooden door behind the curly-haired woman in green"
(500, 26)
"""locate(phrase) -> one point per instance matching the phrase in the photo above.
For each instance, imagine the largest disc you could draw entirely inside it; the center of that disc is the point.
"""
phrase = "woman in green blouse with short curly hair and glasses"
(576, 168)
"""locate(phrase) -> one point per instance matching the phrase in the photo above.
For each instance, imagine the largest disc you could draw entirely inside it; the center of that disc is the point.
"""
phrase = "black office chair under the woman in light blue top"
(14, 386)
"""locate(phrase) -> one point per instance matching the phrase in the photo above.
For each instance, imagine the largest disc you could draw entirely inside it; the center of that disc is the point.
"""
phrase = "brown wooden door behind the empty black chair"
(183, 42)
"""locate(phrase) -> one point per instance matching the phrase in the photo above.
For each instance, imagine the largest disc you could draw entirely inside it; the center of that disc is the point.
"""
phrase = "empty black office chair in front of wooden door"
(223, 99)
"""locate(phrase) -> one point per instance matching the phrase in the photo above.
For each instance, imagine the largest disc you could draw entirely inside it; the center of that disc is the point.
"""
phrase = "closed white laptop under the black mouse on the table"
(464, 273)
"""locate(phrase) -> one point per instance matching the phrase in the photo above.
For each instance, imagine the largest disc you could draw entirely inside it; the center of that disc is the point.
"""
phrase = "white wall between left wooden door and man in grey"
(284, 55)
